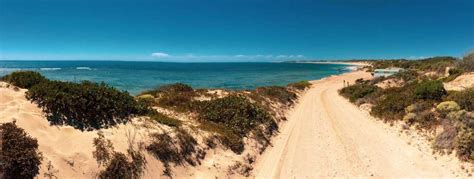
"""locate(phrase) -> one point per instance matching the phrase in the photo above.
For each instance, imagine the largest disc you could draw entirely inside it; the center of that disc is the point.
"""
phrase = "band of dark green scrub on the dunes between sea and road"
(230, 118)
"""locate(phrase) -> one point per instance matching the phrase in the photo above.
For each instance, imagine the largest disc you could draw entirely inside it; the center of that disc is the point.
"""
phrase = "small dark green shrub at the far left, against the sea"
(24, 79)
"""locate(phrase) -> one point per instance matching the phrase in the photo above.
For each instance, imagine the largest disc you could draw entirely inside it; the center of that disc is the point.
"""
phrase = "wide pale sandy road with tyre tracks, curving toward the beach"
(326, 136)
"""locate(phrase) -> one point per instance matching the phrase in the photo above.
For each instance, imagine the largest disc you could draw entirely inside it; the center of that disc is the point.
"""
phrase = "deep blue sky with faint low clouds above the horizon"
(234, 30)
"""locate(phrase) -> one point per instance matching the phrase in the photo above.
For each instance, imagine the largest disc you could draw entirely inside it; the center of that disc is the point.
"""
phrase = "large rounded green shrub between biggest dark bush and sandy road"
(236, 113)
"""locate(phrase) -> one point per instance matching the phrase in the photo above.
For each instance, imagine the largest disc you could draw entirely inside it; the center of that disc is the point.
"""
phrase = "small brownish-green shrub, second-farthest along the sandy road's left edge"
(277, 93)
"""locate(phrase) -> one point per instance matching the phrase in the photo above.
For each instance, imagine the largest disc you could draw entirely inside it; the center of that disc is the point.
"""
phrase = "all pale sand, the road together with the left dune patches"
(325, 136)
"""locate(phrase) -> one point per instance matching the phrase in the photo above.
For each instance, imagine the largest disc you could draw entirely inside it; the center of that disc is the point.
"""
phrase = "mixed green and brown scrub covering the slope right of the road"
(423, 102)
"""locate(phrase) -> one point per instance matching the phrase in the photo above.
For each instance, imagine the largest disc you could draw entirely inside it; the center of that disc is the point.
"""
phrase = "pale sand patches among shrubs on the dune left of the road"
(70, 150)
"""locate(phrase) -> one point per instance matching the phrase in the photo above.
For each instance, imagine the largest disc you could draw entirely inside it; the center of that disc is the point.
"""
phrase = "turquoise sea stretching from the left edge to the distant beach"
(135, 77)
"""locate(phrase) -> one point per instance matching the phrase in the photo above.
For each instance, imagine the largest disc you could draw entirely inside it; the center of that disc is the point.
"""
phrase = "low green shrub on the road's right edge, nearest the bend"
(357, 91)
